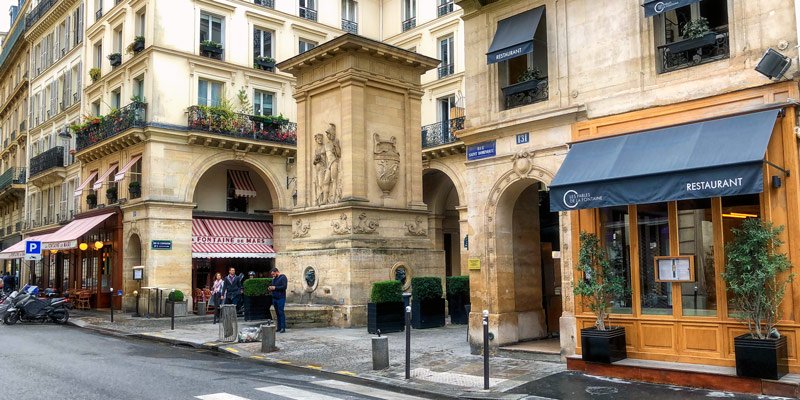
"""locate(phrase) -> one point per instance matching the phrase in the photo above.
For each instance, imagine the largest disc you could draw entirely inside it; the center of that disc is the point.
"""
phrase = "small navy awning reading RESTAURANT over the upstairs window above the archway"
(514, 36)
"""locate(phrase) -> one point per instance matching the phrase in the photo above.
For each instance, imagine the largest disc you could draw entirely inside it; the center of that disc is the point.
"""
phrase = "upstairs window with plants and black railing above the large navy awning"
(684, 39)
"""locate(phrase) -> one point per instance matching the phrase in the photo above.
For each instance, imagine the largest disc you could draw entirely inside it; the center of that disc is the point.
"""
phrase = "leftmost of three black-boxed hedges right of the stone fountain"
(385, 311)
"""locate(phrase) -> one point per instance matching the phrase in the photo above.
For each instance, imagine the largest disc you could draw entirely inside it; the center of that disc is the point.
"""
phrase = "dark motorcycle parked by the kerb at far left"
(26, 307)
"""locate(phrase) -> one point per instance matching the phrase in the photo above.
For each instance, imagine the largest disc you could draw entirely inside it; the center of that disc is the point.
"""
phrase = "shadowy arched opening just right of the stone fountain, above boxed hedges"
(440, 194)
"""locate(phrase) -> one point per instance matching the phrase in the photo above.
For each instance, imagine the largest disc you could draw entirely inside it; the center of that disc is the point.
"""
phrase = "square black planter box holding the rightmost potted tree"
(761, 358)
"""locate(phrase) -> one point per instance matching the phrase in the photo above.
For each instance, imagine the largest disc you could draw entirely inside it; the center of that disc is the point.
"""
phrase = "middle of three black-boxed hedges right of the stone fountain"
(427, 304)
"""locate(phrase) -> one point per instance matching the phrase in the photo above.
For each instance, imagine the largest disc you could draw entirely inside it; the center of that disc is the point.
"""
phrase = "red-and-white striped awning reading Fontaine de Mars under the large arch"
(225, 238)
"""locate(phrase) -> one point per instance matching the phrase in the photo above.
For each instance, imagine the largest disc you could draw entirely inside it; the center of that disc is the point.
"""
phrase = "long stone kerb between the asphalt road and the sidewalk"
(384, 383)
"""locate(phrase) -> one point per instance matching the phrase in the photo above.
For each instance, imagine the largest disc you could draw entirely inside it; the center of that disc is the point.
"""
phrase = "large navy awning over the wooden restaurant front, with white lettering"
(720, 157)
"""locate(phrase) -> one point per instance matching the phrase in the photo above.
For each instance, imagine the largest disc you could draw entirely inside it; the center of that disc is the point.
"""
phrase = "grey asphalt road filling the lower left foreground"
(58, 362)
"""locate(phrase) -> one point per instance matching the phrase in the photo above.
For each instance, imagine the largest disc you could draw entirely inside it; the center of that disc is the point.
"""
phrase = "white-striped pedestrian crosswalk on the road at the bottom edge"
(318, 390)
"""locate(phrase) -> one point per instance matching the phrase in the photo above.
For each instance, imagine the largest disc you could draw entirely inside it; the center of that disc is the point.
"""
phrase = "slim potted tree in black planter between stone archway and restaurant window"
(599, 286)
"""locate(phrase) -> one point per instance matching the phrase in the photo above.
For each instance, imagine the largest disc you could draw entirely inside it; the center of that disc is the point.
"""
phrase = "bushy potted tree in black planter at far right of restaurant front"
(754, 275)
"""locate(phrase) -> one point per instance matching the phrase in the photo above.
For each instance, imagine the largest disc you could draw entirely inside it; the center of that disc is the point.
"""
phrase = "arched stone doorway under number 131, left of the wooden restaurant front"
(528, 249)
